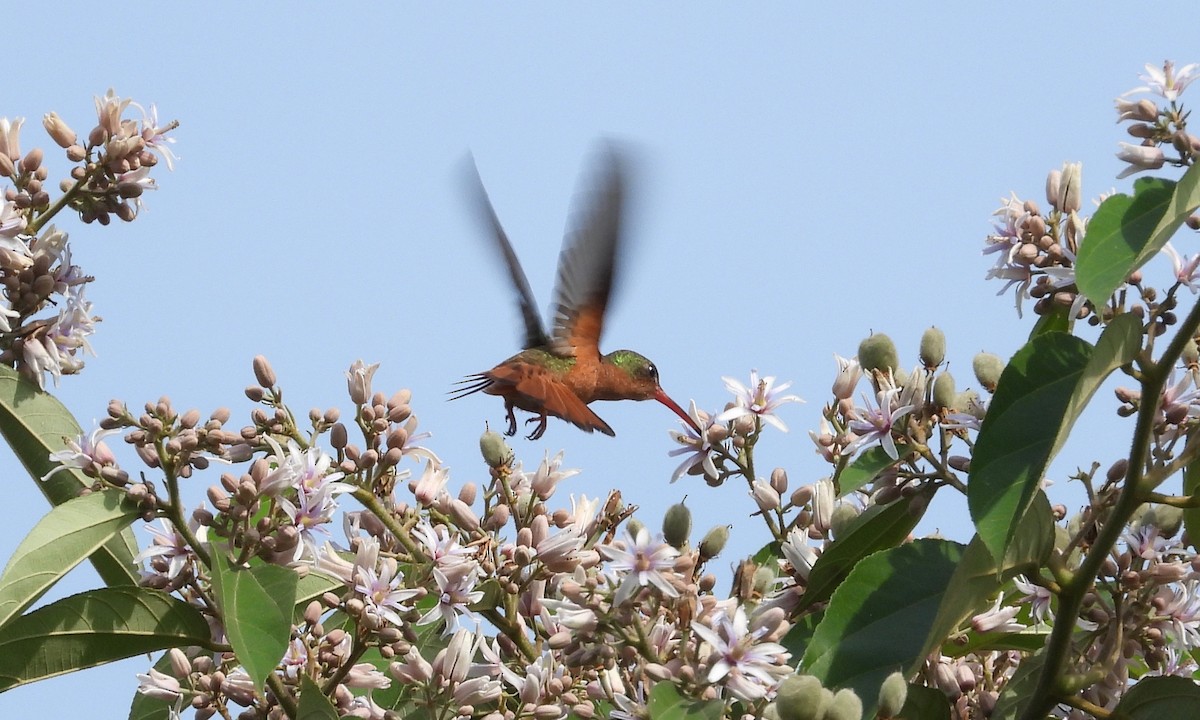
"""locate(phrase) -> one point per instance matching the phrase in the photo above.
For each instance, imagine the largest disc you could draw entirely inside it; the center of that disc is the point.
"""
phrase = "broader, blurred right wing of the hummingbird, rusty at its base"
(587, 265)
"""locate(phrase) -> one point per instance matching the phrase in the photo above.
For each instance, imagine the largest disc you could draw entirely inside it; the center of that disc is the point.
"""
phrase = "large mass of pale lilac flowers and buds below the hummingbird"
(488, 601)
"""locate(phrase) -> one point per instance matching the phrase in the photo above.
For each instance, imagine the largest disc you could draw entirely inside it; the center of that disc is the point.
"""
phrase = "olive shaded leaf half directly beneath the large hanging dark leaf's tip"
(979, 577)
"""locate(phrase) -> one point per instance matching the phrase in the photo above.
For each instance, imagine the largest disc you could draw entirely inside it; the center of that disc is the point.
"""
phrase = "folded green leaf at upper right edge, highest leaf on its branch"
(1126, 232)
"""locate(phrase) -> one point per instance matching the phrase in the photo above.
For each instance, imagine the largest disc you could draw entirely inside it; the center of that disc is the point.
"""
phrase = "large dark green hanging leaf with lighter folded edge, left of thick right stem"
(1041, 394)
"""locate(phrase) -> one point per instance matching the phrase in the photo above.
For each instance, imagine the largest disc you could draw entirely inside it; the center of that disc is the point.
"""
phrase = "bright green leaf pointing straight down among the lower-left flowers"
(257, 607)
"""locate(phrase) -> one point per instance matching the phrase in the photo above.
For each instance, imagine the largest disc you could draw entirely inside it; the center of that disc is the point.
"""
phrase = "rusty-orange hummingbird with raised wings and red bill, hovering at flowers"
(562, 373)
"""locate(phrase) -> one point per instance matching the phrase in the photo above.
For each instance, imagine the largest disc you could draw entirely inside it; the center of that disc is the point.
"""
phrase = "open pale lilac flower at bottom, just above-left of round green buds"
(748, 668)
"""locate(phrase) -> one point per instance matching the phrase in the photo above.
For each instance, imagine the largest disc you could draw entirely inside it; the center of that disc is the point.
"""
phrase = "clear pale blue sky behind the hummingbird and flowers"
(808, 175)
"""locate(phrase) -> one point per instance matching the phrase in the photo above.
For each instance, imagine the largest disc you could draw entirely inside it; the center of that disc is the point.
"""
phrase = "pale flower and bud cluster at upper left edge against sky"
(111, 171)
